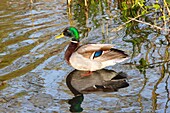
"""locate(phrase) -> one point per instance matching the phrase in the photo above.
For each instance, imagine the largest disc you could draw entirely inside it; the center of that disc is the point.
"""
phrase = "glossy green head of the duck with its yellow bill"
(71, 32)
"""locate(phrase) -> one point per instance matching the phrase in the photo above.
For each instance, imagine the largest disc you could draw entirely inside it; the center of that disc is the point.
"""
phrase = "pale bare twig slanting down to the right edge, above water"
(154, 26)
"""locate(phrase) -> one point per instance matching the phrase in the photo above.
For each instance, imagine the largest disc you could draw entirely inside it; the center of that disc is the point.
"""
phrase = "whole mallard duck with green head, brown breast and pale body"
(90, 57)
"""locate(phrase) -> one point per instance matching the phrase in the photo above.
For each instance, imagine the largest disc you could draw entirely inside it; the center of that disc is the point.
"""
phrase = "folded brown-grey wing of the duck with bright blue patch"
(101, 52)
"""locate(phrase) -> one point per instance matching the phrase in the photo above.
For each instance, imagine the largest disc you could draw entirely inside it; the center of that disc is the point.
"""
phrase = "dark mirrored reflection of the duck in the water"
(99, 81)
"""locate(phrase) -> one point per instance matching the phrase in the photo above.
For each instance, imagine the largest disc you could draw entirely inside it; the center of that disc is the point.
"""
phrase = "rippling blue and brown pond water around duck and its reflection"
(33, 72)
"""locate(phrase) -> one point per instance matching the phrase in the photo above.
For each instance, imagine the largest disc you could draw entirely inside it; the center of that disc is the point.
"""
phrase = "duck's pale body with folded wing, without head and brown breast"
(92, 57)
